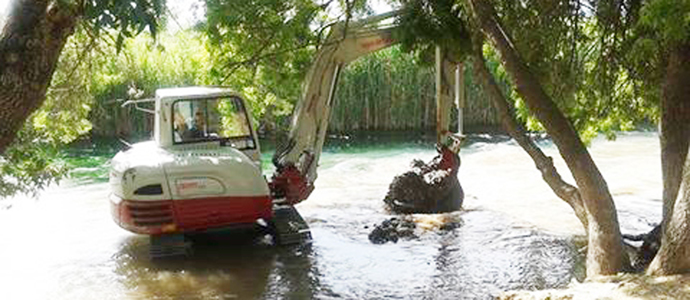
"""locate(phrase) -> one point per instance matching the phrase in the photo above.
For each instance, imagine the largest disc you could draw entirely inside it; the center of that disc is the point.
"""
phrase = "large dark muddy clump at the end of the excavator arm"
(426, 188)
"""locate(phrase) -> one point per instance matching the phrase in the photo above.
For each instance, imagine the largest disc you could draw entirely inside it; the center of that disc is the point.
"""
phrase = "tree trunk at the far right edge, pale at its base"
(674, 255)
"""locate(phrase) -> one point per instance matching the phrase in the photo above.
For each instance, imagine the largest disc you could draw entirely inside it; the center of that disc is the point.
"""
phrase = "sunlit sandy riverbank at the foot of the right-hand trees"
(619, 287)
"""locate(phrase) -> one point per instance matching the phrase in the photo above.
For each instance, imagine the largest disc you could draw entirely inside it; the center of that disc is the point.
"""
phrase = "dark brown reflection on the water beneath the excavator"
(239, 264)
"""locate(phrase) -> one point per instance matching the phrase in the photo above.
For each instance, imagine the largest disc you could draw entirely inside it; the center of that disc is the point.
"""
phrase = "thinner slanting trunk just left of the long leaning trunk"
(544, 164)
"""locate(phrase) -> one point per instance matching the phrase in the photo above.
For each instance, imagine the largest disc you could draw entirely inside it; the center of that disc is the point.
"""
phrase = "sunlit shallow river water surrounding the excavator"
(514, 233)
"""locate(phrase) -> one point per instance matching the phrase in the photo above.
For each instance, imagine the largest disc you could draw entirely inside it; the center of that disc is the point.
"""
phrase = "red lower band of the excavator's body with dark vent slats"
(171, 216)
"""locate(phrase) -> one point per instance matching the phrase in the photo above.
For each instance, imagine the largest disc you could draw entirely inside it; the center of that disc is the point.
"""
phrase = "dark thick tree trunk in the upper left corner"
(30, 45)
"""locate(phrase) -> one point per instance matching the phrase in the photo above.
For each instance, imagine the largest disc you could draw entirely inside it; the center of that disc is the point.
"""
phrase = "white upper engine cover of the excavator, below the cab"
(185, 172)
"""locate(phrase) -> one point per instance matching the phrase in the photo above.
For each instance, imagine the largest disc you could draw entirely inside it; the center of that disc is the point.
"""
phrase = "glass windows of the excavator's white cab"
(200, 120)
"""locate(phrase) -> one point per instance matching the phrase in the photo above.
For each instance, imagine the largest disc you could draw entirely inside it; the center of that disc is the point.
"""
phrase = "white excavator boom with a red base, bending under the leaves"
(296, 162)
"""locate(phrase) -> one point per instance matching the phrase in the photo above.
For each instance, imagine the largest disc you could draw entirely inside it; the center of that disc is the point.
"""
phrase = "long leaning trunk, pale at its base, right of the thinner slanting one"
(605, 248)
